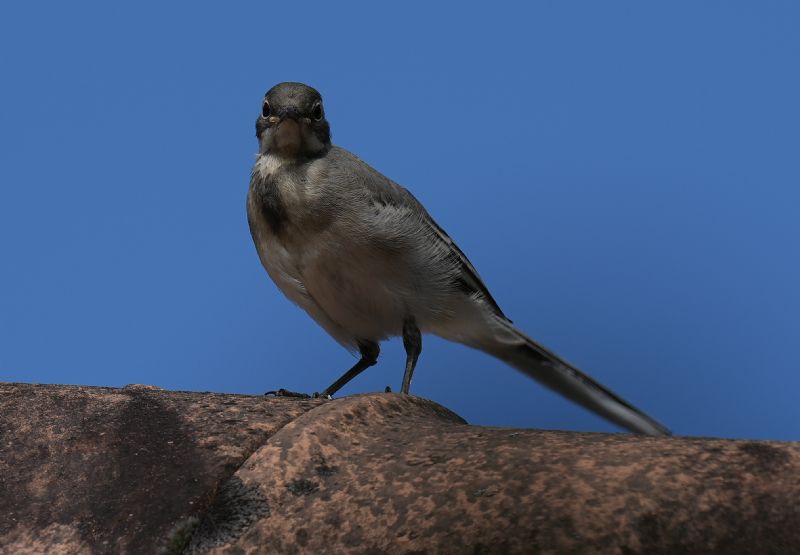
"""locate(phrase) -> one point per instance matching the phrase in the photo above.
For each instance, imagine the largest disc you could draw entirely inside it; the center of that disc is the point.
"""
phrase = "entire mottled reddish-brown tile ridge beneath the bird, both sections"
(94, 470)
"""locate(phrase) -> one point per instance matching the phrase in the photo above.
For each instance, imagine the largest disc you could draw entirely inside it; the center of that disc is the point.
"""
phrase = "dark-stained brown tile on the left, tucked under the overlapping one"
(132, 470)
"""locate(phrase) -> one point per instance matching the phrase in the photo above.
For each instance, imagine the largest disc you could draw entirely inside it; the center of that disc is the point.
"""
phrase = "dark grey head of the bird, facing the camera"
(292, 123)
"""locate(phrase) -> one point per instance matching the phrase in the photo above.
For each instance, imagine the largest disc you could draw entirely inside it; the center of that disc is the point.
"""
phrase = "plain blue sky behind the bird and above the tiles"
(624, 175)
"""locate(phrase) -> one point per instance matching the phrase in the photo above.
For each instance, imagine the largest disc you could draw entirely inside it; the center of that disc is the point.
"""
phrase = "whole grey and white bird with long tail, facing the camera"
(362, 256)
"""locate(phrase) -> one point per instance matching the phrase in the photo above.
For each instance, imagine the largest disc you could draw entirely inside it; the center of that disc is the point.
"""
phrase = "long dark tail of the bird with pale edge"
(520, 351)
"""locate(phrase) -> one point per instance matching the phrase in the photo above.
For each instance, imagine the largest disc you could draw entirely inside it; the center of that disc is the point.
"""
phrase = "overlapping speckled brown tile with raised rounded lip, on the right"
(395, 474)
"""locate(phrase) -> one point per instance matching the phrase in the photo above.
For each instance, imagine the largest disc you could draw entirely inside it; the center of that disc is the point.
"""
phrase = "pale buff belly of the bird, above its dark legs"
(361, 291)
